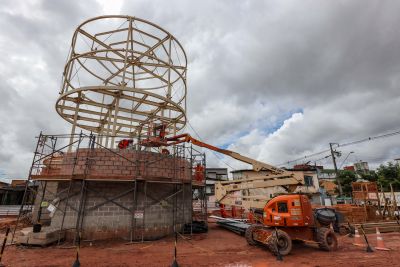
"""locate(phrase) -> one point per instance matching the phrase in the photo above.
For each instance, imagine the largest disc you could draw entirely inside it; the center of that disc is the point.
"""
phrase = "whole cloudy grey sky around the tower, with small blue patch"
(275, 80)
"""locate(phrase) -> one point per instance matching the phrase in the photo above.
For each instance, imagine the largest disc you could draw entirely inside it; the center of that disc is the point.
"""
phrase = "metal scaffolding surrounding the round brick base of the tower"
(70, 175)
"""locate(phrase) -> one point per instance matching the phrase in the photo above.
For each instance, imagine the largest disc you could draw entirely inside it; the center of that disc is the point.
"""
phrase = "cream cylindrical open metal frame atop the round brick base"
(123, 74)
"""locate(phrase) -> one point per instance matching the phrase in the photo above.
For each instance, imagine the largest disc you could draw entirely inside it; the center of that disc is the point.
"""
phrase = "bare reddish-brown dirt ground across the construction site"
(217, 248)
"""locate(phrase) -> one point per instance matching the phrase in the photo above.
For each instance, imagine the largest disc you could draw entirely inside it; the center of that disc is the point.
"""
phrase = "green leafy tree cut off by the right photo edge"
(389, 174)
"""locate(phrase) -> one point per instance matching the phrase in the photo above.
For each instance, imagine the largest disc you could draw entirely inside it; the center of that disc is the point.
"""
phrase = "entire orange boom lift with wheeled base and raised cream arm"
(279, 220)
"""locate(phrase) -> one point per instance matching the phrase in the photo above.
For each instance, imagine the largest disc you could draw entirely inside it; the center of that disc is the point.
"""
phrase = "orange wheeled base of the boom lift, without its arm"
(290, 217)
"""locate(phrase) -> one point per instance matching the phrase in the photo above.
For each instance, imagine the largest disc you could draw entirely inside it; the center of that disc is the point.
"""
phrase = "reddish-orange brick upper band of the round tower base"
(115, 164)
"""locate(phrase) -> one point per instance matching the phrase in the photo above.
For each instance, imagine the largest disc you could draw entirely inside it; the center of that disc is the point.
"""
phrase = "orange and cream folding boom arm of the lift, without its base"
(265, 175)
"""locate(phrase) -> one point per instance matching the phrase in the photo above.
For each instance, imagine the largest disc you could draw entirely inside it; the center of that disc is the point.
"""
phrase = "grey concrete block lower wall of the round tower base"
(112, 221)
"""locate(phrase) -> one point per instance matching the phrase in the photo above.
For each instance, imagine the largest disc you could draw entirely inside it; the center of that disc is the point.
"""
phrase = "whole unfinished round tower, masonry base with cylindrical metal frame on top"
(124, 77)
